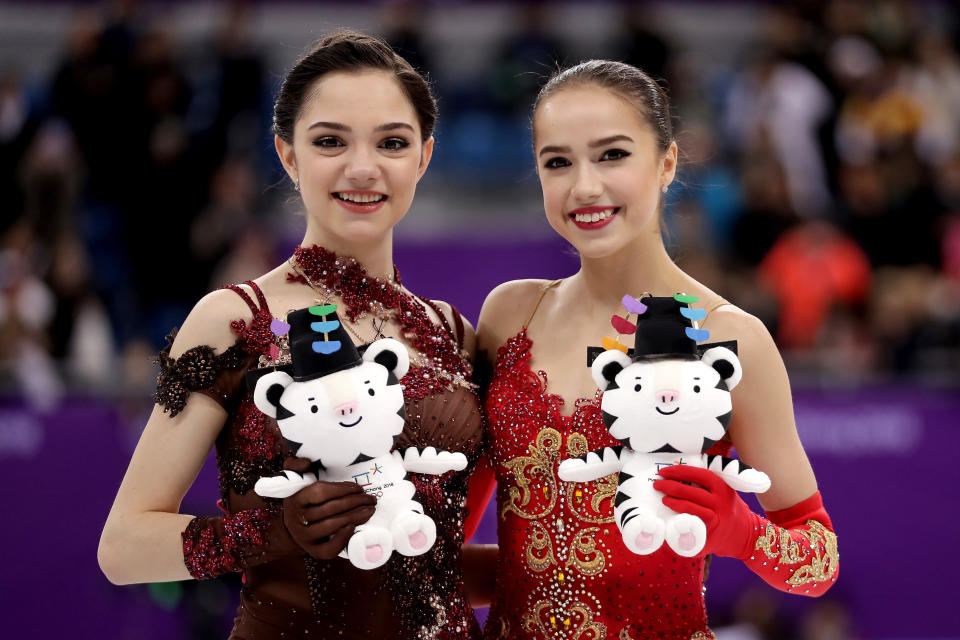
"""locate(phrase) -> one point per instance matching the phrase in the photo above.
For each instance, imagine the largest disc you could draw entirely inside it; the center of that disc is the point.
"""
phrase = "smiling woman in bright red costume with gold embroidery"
(605, 157)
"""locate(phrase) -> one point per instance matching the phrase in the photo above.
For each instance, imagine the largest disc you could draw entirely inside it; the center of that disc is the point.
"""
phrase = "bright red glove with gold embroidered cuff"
(800, 555)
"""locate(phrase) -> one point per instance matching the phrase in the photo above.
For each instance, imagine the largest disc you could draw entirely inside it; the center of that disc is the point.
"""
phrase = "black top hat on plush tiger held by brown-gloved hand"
(319, 343)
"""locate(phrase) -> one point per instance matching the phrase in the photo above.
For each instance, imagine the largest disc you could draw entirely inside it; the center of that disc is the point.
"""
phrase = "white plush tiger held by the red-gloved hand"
(667, 404)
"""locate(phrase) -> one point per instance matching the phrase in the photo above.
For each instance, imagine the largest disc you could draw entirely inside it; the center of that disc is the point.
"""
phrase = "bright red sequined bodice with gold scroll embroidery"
(563, 571)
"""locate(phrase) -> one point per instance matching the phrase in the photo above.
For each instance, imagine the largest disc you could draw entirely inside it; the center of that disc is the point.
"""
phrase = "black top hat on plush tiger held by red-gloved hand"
(666, 329)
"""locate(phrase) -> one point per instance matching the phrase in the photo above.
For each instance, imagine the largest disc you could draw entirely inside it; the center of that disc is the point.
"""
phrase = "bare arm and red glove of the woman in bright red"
(794, 548)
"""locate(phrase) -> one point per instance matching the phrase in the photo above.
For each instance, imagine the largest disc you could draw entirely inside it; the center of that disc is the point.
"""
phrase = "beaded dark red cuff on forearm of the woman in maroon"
(214, 546)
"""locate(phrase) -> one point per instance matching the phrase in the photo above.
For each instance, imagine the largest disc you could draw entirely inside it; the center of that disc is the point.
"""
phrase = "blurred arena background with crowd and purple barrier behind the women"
(820, 191)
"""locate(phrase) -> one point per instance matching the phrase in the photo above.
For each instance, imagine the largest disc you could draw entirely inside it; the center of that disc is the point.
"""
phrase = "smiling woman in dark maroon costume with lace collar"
(353, 129)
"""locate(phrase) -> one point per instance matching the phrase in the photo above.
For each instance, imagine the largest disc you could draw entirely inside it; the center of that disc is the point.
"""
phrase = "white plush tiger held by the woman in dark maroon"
(344, 412)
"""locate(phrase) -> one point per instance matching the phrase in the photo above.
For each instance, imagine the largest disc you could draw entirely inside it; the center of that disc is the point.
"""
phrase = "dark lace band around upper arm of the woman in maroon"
(196, 369)
